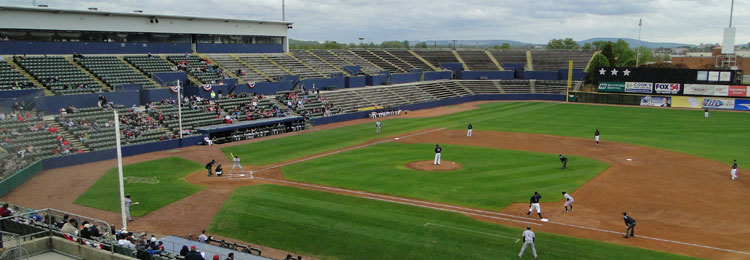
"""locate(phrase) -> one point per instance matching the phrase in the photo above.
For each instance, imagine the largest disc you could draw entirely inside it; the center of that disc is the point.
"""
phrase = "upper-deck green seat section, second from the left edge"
(59, 75)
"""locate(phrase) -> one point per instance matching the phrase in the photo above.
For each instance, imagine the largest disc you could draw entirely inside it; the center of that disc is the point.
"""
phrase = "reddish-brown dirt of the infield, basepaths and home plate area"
(673, 196)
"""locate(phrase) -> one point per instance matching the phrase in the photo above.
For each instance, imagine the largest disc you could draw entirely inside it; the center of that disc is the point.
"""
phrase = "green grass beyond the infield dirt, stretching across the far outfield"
(720, 137)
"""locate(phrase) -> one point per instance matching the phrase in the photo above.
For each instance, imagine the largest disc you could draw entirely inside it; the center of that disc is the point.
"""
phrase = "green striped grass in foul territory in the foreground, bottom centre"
(332, 226)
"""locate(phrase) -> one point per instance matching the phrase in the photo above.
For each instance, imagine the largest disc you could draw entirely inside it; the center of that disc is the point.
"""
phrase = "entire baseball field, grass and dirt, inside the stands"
(342, 191)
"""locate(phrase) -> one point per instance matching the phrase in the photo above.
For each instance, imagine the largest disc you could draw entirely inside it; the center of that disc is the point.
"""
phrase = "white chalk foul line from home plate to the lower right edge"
(486, 214)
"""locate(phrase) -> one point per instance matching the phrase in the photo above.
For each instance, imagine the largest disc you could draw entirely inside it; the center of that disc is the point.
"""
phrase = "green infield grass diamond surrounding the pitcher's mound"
(489, 178)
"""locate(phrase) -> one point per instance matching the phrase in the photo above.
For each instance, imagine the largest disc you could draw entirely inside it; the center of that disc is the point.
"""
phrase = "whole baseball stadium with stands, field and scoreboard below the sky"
(154, 136)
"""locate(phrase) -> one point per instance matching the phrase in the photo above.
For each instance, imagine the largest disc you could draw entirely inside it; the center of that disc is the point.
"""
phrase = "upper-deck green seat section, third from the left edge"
(113, 71)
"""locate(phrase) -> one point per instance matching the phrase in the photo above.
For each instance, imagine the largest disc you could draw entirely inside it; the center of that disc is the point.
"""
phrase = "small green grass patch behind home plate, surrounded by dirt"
(170, 173)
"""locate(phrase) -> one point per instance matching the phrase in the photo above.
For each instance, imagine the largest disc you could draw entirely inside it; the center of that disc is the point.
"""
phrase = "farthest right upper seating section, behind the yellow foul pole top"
(558, 59)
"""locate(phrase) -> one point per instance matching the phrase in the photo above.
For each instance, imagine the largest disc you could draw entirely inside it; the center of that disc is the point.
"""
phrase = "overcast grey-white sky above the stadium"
(683, 21)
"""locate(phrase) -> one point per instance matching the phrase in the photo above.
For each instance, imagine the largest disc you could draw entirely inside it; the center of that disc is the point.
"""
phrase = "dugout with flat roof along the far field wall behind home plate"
(252, 129)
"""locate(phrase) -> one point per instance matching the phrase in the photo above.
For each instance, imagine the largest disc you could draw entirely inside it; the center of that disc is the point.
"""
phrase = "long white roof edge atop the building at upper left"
(134, 14)
